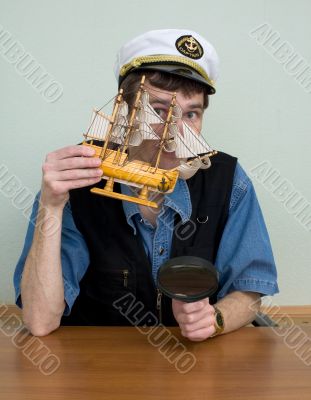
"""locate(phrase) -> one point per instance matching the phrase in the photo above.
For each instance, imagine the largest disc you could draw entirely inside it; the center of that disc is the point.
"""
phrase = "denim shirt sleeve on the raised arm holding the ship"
(74, 256)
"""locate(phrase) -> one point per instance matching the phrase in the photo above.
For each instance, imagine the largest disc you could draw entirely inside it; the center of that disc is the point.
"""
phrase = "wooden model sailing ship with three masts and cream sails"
(114, 136)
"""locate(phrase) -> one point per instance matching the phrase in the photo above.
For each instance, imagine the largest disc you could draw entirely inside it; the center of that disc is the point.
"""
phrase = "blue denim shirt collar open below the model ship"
(179, 201)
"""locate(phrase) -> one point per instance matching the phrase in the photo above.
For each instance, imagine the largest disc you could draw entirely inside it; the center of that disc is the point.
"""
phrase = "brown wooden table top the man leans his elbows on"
(120, 363)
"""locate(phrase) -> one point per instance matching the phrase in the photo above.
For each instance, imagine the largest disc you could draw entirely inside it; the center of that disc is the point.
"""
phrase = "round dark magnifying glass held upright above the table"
(187, 278)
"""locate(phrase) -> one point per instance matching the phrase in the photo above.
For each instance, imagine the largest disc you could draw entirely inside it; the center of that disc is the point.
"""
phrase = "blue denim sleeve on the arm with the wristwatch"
(245, 260)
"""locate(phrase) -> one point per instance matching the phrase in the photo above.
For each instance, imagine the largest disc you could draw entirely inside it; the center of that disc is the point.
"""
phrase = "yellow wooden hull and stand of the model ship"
(117, 167)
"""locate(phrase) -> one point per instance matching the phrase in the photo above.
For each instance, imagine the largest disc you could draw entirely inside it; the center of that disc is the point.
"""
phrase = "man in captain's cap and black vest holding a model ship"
(107, 248)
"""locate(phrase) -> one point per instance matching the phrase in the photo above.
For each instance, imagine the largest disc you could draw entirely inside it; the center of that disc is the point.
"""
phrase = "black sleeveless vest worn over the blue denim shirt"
(118, 261)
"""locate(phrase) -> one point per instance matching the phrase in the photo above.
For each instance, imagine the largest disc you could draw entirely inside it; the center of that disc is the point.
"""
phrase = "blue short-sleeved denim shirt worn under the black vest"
(244, 259)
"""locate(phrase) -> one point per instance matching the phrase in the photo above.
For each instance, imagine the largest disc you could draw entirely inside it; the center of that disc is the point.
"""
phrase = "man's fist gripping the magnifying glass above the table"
(196, 320)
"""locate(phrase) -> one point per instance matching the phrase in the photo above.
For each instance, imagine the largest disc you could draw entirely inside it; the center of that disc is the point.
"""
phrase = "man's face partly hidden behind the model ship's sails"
(192, 114)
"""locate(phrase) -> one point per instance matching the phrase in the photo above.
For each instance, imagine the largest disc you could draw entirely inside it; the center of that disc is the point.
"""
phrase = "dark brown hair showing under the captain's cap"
(162, 80)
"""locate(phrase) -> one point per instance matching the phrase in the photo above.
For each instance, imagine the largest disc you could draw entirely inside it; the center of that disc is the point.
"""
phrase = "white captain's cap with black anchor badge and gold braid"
(177, 51)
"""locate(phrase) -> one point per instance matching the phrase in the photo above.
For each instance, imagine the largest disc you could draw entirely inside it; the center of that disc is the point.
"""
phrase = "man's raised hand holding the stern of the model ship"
(65, 169)
